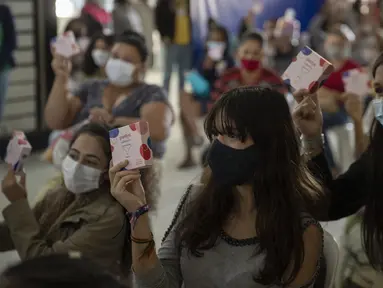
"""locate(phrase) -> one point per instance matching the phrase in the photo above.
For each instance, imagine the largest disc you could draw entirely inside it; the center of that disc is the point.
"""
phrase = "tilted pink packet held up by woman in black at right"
(308, 70)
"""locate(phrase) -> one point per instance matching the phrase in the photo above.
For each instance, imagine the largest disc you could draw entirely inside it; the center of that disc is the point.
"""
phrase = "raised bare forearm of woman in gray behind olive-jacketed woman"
(57, 108)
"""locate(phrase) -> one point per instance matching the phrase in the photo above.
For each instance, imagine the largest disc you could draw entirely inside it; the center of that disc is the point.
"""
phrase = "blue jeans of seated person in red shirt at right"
(331, 120)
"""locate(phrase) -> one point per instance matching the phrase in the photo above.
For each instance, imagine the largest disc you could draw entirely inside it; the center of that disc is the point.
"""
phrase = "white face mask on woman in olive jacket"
(79, 178)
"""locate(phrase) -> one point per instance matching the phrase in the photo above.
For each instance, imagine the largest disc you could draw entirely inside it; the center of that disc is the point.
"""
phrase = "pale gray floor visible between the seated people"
(174, 182)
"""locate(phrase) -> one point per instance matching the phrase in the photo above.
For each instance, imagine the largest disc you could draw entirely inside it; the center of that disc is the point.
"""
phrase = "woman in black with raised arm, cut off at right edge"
(361, 184)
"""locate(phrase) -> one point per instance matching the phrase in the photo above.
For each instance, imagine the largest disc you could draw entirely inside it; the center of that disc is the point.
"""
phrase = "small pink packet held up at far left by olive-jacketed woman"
(17, 151)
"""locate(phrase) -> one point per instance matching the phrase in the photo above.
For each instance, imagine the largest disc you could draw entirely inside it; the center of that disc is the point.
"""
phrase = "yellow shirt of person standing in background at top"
(182, 23)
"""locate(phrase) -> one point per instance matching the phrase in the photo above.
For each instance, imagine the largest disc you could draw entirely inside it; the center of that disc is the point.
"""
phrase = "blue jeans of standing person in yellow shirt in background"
(180, 55)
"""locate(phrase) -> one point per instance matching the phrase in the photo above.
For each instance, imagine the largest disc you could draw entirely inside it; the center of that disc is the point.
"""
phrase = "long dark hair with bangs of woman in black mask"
(282, 184)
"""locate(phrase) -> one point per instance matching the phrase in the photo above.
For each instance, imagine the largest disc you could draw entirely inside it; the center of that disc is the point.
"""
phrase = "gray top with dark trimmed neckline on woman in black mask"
(230, 264)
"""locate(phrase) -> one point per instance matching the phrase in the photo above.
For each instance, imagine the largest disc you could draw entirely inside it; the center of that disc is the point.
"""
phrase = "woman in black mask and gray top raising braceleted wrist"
(247, 226)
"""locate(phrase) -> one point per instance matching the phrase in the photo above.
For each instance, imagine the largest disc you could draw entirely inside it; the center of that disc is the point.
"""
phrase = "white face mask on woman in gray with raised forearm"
(119, 72)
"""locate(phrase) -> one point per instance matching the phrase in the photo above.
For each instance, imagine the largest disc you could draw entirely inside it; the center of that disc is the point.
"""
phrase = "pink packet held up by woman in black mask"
(132, 143)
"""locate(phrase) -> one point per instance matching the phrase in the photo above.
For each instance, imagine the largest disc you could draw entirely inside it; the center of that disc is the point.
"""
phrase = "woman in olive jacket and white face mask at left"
(78, 214)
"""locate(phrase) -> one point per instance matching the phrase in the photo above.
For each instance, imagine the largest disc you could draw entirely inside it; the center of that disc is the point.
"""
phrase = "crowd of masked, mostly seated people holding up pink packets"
(269, 174)
